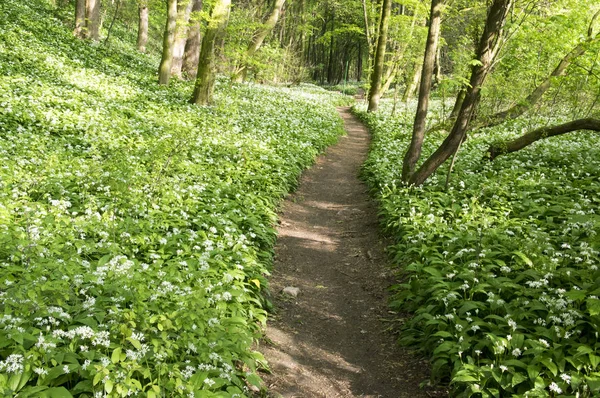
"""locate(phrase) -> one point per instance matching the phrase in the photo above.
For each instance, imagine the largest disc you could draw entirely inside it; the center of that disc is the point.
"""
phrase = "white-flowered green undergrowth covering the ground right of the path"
(500, 270)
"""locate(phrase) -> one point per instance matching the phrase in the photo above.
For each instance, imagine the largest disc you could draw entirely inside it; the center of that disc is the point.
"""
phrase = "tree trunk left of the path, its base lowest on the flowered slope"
(205, 77)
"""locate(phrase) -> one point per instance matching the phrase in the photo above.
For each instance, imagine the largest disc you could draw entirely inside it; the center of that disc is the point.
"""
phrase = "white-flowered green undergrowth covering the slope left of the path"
(135, 228)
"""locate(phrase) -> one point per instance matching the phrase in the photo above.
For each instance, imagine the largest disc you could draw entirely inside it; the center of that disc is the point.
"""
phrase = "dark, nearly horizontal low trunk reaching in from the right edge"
(529, 138)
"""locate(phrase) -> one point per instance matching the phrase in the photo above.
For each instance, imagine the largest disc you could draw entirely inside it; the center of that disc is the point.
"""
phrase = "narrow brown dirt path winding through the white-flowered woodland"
(329, 341)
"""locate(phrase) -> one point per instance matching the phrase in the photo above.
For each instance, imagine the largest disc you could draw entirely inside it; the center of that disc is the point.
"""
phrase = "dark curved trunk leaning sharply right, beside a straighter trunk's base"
(486, 53)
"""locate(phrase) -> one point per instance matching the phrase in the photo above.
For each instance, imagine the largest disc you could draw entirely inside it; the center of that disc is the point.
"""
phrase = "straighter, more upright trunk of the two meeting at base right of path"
(414, 150)
